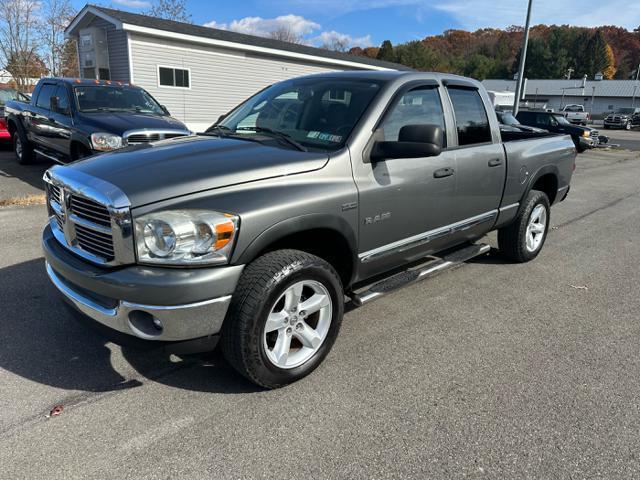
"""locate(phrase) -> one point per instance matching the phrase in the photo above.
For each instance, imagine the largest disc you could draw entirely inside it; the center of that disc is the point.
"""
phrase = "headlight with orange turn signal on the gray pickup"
(185, 237)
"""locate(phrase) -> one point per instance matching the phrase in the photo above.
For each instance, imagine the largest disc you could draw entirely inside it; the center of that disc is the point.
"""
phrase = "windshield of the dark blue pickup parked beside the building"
(116, 99)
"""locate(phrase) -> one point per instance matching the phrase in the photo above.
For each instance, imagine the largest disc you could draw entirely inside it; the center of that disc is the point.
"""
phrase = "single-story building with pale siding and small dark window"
(198, 73)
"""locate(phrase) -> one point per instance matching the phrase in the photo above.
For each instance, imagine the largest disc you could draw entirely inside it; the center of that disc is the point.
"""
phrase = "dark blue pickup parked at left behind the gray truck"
(68, 119)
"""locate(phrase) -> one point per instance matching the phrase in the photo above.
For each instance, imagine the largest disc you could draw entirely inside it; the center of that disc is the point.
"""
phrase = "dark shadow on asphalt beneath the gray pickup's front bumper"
(41, 341)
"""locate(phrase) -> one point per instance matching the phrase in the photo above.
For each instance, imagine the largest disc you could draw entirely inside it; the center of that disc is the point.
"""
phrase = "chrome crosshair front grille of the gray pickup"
(87, 218)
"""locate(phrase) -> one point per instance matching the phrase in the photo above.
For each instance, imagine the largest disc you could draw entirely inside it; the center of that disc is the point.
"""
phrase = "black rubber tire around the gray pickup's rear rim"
(512, 240)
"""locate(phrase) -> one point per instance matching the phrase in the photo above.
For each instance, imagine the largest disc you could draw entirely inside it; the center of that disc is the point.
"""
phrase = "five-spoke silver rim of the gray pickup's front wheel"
(298, 324)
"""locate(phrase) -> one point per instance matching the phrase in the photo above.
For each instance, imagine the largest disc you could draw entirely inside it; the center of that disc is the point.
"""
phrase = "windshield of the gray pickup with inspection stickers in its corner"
(316, 113)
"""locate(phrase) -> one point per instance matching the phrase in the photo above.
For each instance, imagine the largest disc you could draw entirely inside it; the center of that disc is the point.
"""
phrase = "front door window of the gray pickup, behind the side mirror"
(420, 106)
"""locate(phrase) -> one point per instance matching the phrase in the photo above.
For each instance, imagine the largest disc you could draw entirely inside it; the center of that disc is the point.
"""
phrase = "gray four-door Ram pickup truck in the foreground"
(314, 190)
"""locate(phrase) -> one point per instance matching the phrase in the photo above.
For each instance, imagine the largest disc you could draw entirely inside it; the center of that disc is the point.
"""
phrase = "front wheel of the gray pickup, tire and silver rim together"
(284, 317)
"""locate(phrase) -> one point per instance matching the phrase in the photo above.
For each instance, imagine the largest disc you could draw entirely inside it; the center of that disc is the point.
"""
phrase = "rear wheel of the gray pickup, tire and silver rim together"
(522, 240)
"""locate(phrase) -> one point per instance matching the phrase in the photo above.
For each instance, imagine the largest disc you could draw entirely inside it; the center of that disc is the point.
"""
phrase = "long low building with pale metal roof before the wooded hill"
(607, 95)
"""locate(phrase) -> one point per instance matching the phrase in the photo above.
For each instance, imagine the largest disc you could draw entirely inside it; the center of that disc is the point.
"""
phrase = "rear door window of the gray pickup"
(472, 122)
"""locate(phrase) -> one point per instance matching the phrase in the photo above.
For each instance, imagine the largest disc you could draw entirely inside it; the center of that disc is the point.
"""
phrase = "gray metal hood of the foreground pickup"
(173, 168)
